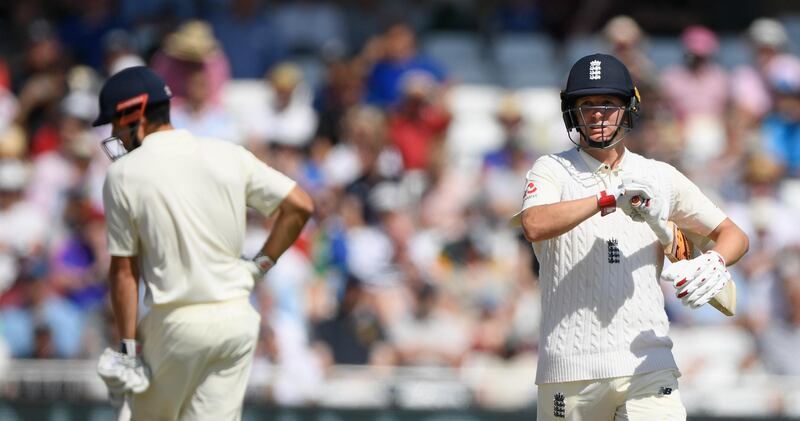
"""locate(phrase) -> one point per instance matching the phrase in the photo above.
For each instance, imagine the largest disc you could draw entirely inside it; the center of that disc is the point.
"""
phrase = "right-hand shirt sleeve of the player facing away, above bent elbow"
(266, 187)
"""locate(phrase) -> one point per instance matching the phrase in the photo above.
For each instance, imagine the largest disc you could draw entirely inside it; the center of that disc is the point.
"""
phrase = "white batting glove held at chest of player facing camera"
(643, 202)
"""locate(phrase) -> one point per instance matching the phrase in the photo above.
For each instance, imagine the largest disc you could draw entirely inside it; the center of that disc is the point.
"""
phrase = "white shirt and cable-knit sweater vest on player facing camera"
(602, 306)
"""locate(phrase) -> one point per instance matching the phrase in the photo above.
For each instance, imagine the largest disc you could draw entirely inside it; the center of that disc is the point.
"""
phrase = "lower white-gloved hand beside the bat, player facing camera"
(698, 280)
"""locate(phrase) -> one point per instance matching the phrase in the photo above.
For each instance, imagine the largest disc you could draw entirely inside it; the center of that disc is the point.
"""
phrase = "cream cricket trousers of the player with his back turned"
(200, 357)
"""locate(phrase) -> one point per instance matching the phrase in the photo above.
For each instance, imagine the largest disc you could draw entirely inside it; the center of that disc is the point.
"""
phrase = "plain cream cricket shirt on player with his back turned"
(179, 203)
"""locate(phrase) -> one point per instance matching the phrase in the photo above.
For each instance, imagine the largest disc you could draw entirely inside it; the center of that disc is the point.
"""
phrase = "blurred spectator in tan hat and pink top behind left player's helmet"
(191, 47)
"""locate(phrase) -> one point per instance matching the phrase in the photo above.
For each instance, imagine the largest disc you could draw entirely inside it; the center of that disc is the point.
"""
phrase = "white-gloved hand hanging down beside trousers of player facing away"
(122, 374)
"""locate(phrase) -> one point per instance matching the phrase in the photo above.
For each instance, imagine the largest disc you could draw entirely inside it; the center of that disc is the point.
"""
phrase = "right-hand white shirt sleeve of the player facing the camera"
(691, 209)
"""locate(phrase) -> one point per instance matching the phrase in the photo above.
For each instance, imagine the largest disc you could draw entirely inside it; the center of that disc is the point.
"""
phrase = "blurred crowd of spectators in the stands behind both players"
(409, 259)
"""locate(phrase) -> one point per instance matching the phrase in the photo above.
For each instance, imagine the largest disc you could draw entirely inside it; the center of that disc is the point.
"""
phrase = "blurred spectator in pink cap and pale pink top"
(696, 92)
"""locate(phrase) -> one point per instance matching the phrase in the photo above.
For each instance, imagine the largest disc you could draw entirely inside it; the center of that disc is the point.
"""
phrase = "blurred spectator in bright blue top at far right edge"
(781, 128)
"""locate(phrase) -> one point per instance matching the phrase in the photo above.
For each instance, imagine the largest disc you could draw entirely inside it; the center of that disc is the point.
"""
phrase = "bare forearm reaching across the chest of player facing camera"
(548, 221)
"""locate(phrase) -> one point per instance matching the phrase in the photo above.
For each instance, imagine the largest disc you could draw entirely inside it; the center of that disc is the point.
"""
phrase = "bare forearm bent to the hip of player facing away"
(293, 214)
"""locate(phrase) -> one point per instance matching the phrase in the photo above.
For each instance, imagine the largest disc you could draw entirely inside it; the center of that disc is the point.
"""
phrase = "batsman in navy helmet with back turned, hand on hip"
(175, 209)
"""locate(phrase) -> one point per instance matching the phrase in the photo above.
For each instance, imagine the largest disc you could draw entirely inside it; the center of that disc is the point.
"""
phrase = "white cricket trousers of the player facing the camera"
(650, 396)
